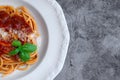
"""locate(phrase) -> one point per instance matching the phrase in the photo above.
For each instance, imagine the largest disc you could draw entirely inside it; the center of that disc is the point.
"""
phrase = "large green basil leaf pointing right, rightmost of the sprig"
(29, 48)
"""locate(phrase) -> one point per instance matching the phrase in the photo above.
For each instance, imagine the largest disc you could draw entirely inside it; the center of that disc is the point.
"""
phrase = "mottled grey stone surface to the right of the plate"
(94, 51)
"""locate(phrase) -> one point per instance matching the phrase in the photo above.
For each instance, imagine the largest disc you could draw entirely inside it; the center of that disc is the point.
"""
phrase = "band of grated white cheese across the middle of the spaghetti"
(19, 34)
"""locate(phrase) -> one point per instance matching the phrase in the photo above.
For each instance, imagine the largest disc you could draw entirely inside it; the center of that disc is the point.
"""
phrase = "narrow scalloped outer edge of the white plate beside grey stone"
(66, 39)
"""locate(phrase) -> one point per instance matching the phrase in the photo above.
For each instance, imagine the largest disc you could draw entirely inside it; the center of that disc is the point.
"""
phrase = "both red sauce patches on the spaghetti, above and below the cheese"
(14, 22)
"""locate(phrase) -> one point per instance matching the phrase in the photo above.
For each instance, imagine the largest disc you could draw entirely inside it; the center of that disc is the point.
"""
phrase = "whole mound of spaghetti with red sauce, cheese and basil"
(18, 34)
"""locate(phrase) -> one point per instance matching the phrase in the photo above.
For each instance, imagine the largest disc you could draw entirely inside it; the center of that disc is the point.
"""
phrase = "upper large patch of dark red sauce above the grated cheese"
(15, 22)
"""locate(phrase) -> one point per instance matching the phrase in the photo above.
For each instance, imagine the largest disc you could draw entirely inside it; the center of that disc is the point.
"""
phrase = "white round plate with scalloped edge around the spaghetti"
(53, 42)
